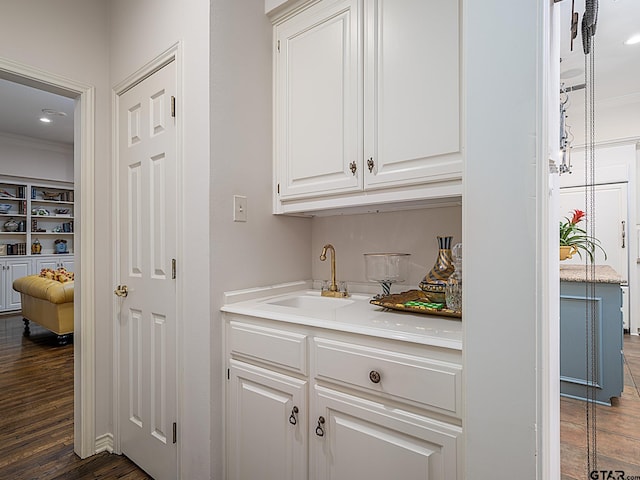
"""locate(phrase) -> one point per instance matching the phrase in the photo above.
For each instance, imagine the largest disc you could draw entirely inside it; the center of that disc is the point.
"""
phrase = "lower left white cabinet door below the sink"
(267, 424)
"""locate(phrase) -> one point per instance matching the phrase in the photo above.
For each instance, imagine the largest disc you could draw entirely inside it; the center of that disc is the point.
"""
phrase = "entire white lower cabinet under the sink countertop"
(309, 403)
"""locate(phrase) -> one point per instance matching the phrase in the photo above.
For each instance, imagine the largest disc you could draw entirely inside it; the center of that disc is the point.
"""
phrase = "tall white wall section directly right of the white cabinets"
(504, 218)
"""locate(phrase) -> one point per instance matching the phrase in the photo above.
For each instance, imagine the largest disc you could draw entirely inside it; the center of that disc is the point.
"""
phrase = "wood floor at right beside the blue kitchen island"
(617, 427)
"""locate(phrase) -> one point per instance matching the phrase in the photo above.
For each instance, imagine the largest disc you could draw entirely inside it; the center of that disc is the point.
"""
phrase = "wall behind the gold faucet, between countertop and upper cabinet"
(412, 231)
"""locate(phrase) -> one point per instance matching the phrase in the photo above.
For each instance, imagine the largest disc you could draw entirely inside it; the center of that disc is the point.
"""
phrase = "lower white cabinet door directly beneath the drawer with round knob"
(365, 439)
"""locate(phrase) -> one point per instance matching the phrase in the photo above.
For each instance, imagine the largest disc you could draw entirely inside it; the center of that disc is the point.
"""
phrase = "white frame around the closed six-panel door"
(172, 54)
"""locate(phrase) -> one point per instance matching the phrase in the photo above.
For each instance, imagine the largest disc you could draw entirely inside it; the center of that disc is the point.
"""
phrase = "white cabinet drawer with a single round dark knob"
(431, 382)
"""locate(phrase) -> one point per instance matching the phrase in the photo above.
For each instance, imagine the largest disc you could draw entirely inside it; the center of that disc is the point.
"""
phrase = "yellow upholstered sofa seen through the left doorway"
(48, 303)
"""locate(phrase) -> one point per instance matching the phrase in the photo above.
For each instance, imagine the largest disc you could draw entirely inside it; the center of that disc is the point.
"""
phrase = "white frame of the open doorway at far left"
(84, 439)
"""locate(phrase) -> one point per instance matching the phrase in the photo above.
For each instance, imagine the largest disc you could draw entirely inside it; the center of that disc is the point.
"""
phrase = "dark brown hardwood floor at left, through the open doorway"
(36, 412)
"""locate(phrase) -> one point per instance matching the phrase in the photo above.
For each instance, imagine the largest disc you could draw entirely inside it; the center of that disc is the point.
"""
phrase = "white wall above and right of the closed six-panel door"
(140, 31)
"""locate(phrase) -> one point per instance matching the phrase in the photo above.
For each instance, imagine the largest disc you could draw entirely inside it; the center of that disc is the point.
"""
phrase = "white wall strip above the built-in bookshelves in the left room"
(33, 158)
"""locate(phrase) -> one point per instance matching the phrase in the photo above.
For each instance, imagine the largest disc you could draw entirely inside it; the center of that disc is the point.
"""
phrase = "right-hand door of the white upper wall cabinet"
(412, 92)
